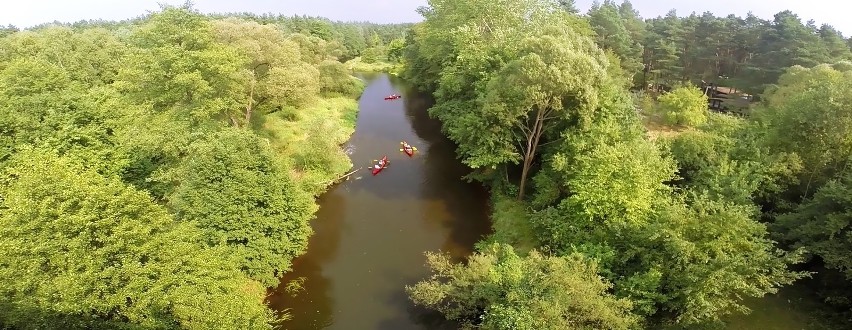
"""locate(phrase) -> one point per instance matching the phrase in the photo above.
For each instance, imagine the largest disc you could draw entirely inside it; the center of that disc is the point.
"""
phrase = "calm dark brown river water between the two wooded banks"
(371, 232)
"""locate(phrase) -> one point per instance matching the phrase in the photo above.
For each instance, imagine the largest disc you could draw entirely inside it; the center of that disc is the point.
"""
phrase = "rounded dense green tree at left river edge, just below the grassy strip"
(232, 187)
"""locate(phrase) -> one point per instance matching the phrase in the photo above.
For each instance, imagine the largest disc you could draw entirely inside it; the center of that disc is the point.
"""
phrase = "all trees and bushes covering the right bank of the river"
(684, 200)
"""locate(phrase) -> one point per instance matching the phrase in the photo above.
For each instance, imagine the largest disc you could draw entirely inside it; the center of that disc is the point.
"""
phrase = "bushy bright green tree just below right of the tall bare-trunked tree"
(603, 177)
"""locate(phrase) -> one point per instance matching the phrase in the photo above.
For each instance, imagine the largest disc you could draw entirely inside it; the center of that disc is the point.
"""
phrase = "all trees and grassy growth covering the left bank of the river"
(161, 172)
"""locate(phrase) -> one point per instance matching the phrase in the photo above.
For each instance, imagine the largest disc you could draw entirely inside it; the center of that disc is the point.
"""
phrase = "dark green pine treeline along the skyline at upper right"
(748, 52)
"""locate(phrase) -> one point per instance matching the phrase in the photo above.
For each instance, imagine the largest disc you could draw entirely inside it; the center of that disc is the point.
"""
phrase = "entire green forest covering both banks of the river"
(162, 172)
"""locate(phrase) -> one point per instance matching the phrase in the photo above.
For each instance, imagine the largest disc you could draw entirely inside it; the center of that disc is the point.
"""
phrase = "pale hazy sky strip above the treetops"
(26, 13)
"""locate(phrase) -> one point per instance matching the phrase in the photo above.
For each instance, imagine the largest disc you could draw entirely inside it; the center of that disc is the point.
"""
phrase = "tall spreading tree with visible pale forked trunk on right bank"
(501, 94)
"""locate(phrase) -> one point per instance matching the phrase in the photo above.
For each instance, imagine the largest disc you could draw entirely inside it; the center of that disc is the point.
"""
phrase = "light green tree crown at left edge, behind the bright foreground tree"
(40, 104)
